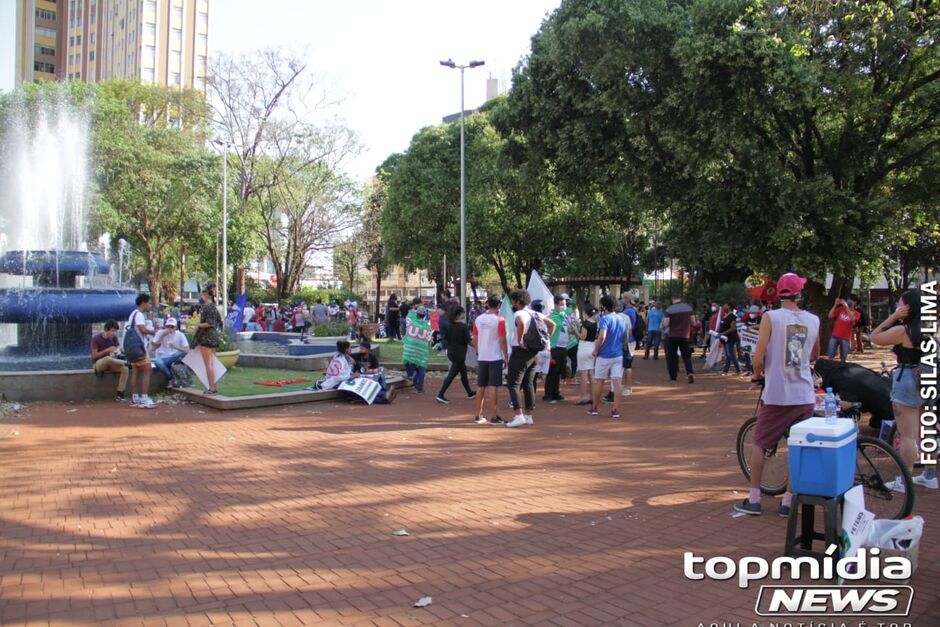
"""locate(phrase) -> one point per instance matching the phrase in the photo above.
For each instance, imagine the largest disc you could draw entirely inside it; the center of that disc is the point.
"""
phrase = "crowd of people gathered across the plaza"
(558, 341)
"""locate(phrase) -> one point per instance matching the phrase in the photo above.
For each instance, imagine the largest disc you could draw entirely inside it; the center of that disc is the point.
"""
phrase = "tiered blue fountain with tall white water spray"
(52, 289)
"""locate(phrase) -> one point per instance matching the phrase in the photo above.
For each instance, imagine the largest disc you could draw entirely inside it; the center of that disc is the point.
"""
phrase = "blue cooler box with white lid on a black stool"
(822, 456)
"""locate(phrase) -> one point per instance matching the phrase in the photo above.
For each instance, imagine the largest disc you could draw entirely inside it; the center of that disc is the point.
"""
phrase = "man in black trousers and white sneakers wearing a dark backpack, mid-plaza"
(533, 331)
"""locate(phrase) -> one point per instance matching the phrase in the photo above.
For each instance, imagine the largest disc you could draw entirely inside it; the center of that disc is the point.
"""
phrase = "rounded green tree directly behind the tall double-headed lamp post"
(515, 217)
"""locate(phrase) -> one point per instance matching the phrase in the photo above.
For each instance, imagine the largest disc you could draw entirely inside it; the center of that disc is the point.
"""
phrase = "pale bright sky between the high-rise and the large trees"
(384, 55)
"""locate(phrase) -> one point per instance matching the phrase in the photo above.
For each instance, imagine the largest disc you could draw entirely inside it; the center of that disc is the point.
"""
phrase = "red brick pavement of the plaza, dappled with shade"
(186, 516)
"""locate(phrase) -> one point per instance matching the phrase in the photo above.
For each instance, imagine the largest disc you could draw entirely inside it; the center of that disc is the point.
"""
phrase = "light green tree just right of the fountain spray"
(158, 183)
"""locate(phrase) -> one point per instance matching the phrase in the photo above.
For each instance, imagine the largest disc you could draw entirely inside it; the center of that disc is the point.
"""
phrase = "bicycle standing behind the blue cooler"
(876, 466)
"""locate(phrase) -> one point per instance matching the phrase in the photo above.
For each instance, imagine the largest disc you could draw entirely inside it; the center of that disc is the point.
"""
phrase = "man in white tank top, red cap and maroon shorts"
(788, 343)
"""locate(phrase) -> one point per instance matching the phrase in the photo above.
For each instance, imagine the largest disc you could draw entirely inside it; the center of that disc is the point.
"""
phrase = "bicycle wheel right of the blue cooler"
(877, 466)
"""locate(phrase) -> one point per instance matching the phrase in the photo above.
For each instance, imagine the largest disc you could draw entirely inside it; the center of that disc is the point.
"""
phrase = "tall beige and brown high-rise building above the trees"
(156, 41)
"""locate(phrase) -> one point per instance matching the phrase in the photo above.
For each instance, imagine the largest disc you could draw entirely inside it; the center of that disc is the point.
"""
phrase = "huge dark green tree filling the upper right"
(780, 135)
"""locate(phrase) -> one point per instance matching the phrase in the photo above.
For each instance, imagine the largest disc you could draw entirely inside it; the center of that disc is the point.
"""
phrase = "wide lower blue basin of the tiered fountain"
(26, 305)
